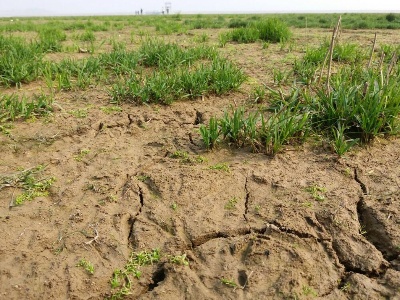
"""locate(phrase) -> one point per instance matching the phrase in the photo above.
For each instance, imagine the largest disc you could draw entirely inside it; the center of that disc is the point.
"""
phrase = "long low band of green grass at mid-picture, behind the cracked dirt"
(164, 87)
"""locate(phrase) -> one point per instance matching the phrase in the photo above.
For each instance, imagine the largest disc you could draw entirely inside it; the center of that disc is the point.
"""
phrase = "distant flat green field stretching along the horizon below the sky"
(181, 23)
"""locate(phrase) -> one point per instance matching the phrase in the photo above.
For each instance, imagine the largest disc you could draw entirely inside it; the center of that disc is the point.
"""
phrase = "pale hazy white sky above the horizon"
(95, 7)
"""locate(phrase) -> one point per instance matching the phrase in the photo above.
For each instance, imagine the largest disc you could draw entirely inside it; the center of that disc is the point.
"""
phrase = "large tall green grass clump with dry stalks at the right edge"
(356, 104)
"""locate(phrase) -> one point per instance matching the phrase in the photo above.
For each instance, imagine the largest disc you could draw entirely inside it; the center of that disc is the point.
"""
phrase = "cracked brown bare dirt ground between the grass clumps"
(119, 189)
